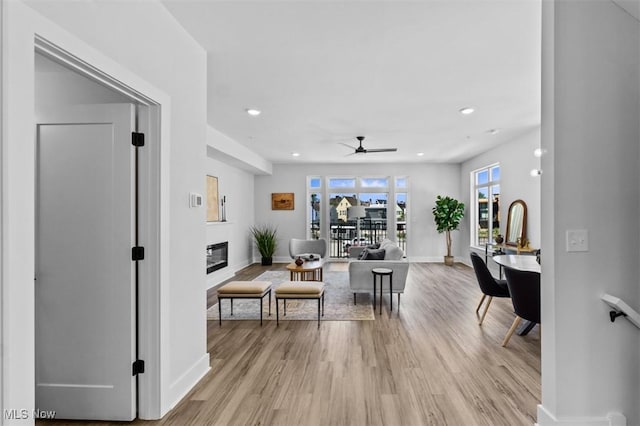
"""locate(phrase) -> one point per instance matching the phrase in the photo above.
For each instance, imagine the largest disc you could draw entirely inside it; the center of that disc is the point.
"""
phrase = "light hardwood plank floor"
(430, 365)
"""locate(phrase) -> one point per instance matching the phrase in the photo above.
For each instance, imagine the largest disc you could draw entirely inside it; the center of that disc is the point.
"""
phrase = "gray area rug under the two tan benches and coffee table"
(338, 302)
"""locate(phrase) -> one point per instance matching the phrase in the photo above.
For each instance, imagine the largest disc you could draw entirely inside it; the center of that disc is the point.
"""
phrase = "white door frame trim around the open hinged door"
(153, 107)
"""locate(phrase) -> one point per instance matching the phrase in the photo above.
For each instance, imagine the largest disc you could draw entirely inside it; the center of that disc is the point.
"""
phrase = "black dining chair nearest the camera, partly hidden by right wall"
(524, 287)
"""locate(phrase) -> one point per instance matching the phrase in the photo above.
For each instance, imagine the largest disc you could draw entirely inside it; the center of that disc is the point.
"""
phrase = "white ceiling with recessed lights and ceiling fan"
(396, 72)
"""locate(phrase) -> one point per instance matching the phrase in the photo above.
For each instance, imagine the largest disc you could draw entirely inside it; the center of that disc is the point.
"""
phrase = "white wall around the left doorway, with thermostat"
(140, 44)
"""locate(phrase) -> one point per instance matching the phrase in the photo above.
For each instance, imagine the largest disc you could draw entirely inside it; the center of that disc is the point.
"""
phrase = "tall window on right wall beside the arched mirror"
(485, 193)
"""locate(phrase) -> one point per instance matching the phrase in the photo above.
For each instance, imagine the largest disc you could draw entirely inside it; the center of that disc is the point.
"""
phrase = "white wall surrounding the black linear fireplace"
(238, 187)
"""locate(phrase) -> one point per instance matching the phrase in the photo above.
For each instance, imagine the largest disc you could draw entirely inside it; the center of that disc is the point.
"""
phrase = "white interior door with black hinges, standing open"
(85, 278)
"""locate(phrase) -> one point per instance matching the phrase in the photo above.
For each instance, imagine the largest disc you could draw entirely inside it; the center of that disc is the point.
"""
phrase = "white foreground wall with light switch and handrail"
(590, 366)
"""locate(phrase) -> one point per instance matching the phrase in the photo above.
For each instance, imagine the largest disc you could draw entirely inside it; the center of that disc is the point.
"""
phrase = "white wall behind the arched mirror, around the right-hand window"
(516, 162)
